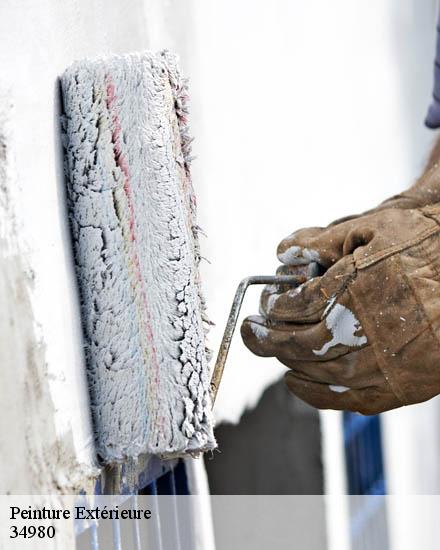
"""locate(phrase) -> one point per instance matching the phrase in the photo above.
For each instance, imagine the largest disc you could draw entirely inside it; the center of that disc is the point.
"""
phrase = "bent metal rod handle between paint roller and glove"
(233, 318)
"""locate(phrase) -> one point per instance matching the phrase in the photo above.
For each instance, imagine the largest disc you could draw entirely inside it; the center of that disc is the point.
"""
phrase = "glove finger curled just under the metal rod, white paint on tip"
(307, 302)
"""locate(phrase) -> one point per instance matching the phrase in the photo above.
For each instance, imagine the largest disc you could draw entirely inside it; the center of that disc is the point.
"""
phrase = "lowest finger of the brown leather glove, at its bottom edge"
(371, 400)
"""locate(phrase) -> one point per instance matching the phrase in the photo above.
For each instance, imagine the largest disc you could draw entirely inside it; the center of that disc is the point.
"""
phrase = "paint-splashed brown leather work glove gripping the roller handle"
(364, 336)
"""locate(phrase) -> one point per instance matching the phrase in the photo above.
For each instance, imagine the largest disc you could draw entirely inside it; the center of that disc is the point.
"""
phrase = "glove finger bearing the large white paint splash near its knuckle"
(332, 337)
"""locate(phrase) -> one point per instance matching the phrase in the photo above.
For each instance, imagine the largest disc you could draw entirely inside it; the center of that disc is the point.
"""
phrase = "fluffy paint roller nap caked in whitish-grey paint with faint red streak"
(135, 241)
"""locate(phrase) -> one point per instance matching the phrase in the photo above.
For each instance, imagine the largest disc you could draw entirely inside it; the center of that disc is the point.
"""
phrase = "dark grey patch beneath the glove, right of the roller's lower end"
(275, 449)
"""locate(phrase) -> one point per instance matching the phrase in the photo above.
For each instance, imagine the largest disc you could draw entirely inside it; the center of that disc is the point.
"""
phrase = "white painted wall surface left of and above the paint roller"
(43, 372)
